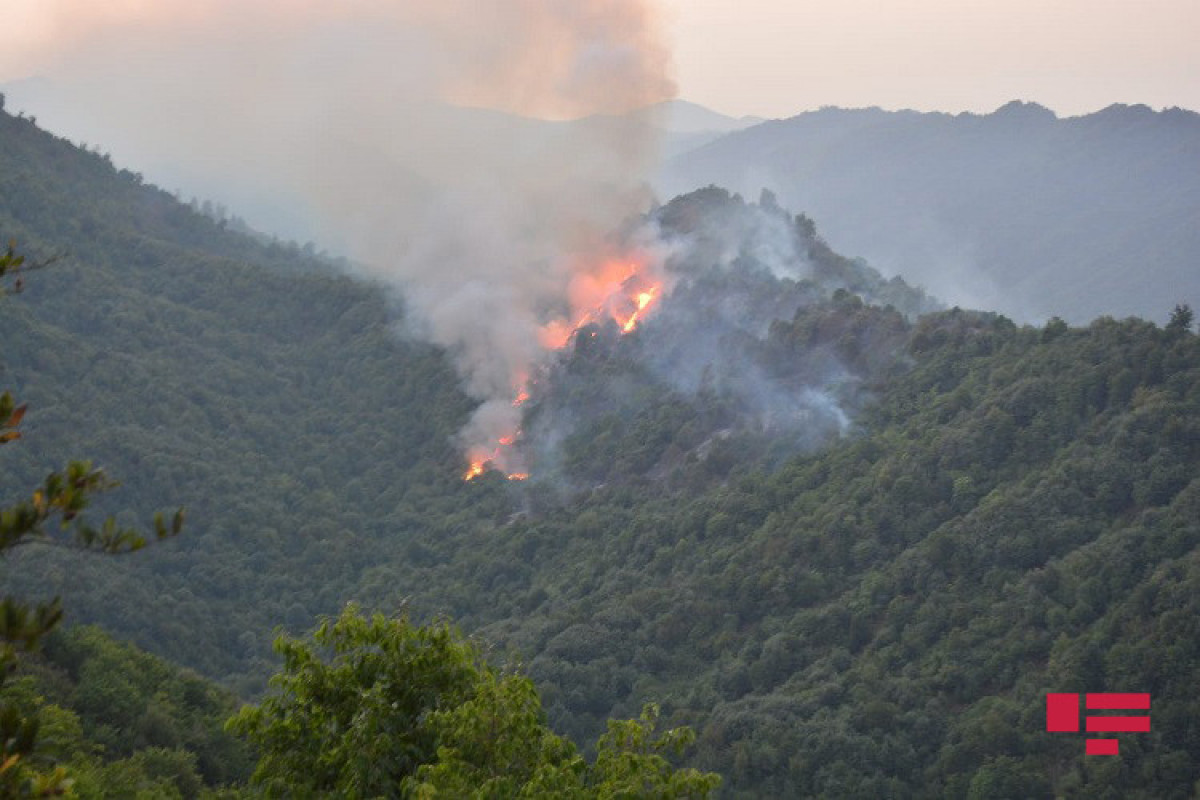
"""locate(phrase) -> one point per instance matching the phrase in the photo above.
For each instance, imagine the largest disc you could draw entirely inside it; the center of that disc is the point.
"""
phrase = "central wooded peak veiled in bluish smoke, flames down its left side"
(763, 338)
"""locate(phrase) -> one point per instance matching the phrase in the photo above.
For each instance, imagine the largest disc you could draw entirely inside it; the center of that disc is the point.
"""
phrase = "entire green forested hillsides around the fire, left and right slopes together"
(857, 580)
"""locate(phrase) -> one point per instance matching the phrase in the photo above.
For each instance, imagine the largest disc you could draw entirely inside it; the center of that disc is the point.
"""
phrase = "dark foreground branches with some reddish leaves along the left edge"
(62, 497)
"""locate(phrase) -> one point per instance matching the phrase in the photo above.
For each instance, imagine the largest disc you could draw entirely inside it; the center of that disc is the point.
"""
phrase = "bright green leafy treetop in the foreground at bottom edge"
(379, 707)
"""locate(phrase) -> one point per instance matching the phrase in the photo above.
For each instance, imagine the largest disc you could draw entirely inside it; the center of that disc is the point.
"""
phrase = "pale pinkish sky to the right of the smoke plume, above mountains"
(776, 58)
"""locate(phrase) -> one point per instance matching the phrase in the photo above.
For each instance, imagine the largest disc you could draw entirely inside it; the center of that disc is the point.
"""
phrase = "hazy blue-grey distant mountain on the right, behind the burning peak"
(1017, 210)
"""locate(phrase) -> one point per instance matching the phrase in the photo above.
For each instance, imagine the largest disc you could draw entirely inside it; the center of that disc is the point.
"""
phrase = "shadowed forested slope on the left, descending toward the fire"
(226, 375)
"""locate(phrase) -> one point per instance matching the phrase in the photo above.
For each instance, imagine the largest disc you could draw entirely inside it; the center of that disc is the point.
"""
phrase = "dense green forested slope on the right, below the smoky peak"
(885, 617)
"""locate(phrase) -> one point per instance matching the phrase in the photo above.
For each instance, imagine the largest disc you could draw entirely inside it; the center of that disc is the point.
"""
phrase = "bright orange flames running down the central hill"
(622, 291)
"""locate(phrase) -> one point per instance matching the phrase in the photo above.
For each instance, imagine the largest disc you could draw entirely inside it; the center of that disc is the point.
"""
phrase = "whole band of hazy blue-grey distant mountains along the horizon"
(1018, 210)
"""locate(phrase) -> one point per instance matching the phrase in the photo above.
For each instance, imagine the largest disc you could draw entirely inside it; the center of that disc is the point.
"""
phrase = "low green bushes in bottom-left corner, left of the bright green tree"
(124, 724)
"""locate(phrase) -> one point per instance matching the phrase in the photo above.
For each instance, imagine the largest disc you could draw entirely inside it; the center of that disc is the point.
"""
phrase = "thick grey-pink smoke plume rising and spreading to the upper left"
(397, 134)
